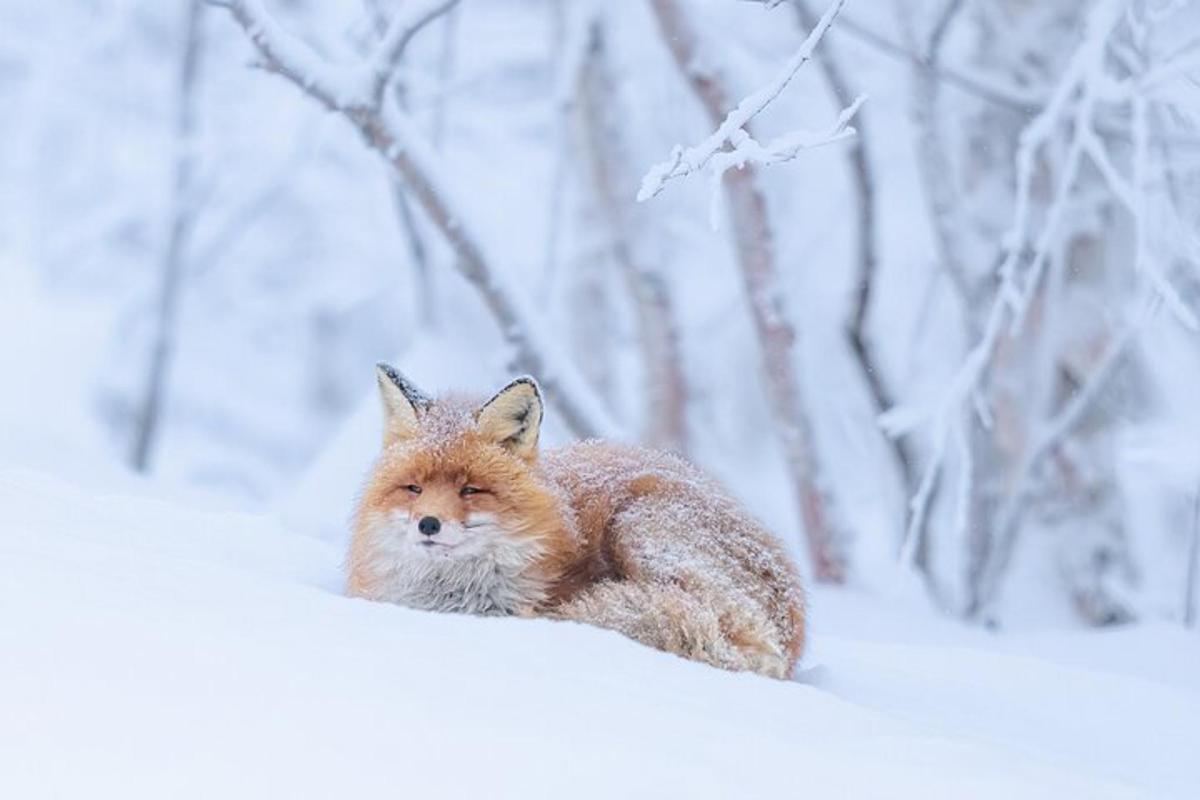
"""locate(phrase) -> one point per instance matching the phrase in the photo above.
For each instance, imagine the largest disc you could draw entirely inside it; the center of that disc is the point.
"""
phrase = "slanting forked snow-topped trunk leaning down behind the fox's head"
(358, 93)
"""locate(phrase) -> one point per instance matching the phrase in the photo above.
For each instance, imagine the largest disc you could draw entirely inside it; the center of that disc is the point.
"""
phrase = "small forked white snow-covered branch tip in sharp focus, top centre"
(731, 145)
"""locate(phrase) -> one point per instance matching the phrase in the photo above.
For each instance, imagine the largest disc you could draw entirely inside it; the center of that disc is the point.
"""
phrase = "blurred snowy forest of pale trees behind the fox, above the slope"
(953, 356)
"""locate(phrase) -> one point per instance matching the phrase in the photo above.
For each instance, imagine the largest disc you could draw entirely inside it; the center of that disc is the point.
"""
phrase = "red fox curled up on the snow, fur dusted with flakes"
(463, 514)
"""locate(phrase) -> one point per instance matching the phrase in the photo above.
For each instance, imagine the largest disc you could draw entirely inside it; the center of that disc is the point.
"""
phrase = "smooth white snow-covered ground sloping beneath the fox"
(153, 651)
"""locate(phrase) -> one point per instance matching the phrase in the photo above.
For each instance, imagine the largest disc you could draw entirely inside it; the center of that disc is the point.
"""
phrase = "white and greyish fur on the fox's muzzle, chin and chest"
(478, 569)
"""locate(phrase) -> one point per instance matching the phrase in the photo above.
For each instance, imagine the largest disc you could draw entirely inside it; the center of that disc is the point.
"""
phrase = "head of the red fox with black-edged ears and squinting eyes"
(458, 484)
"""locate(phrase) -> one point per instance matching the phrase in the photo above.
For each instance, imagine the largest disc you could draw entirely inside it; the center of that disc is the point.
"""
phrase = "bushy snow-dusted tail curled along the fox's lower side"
(694, 625)
